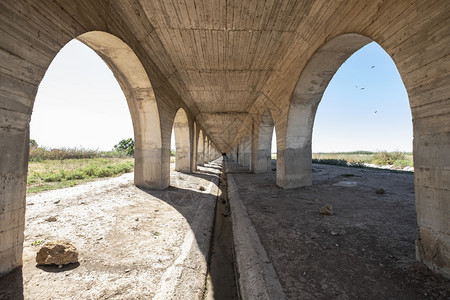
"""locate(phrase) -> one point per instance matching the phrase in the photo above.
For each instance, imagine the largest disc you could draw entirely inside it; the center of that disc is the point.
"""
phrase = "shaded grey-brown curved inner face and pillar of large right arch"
(314, 79)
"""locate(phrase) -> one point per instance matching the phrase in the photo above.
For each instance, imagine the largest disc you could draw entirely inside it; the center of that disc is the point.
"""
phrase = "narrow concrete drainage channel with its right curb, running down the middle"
(239, 267)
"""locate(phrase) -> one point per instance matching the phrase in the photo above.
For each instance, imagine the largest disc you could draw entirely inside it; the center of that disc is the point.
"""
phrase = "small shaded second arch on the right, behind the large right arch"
(263, 143)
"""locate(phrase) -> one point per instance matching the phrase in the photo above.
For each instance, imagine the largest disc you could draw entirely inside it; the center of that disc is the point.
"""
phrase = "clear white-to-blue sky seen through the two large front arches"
(80, 104)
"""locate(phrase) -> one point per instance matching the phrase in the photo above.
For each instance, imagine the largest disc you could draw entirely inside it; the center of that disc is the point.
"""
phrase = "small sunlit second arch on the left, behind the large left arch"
(182, 142)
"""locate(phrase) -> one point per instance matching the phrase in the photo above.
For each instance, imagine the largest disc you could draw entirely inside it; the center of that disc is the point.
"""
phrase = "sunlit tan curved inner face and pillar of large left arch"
(141, 100)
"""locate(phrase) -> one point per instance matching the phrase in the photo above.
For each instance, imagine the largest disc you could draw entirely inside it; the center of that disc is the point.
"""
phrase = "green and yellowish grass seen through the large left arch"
(55, 174)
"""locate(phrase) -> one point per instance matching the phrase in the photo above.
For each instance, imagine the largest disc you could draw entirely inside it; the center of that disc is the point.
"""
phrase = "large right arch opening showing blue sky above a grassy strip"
(365, 109)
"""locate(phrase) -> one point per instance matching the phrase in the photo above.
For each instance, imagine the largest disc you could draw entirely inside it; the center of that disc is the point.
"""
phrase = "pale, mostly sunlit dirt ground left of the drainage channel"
(133, 243)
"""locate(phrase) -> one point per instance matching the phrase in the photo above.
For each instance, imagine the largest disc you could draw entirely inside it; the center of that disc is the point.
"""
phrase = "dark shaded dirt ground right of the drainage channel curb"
(365, 250)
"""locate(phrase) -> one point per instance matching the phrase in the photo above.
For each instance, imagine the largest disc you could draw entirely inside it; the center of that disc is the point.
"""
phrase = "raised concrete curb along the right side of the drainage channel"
(256, 276)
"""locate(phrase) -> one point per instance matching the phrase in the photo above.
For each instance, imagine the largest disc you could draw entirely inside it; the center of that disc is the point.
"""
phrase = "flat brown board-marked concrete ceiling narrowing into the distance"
(223, 53)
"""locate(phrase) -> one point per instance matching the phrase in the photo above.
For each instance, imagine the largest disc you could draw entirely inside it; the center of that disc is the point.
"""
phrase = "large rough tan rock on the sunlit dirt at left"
(58, 253)
